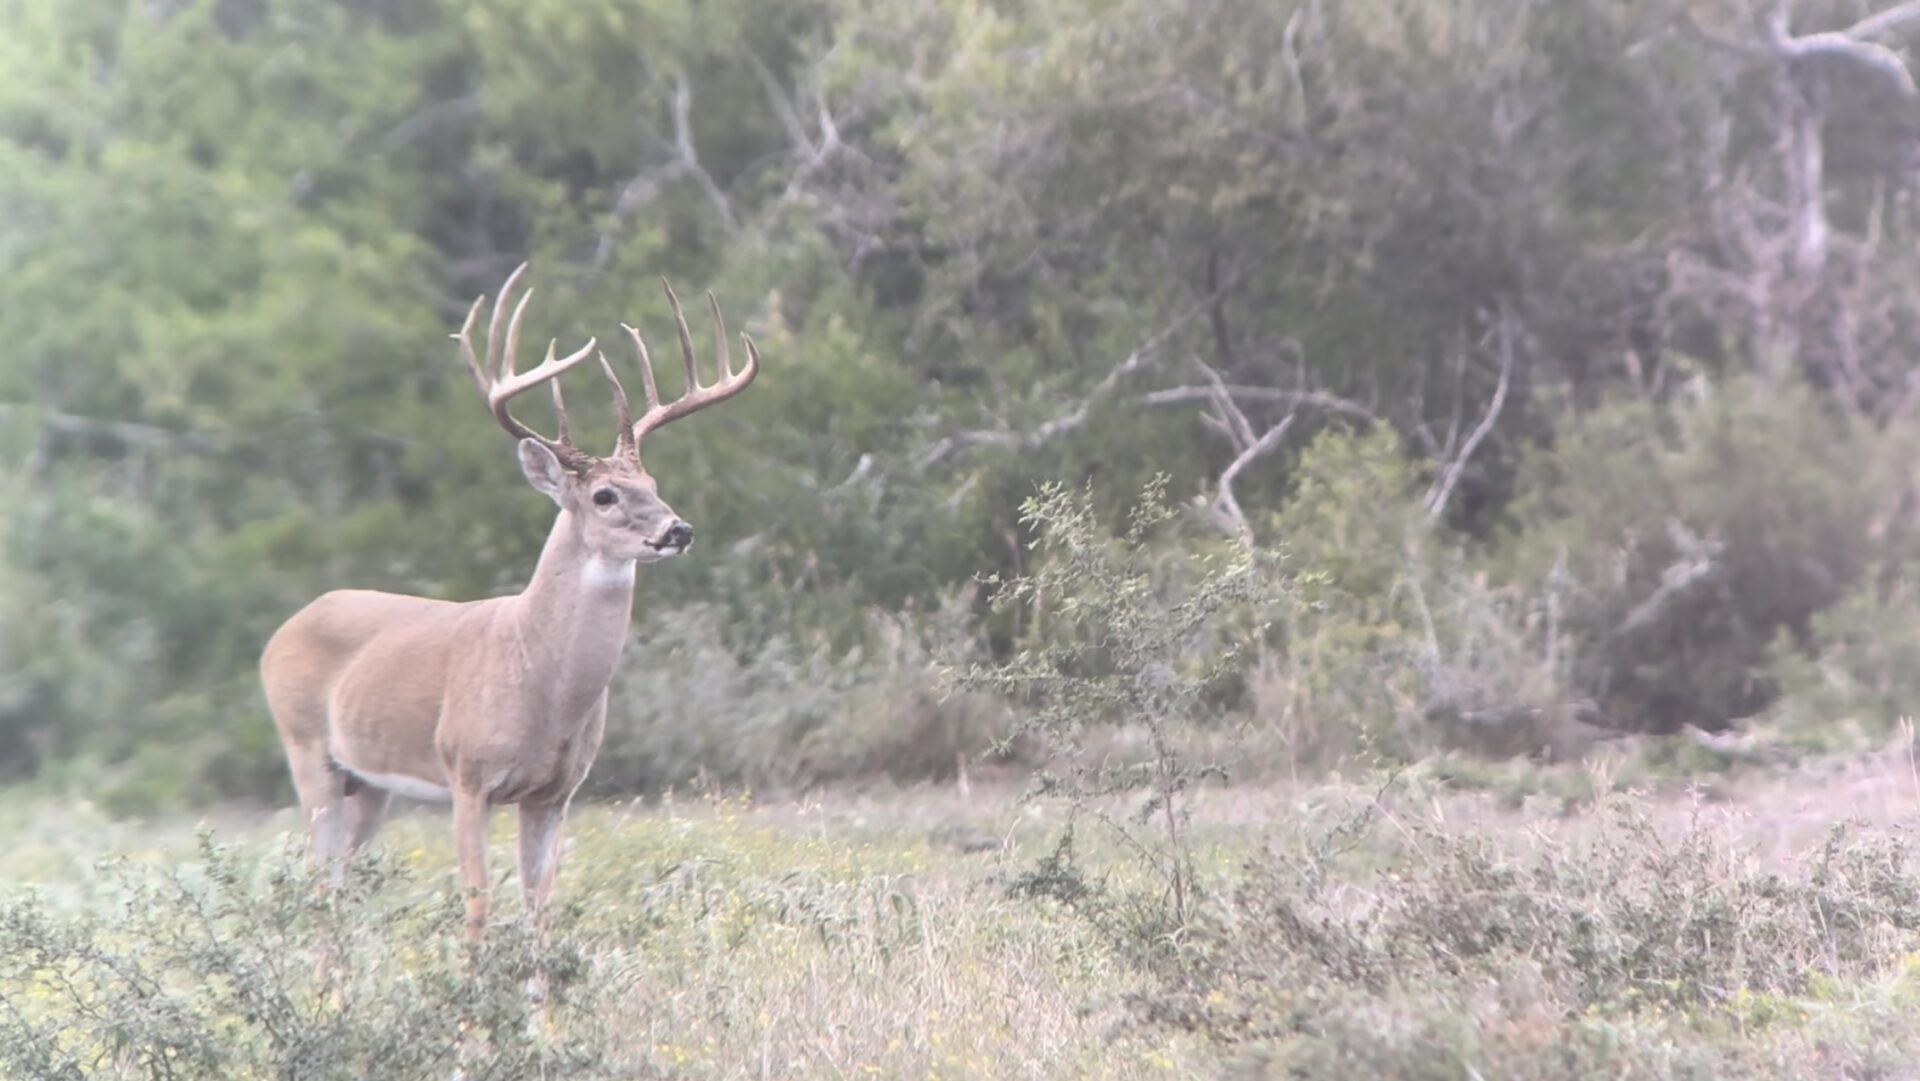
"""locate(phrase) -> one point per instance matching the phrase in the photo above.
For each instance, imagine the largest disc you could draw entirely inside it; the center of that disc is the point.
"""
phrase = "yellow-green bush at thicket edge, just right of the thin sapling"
(1404, 642)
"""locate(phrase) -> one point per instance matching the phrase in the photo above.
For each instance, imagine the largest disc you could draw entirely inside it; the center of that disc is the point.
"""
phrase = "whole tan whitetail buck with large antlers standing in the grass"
(502, 700)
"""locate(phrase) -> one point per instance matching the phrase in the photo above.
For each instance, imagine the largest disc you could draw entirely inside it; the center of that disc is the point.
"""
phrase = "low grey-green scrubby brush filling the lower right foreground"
(1441, 953)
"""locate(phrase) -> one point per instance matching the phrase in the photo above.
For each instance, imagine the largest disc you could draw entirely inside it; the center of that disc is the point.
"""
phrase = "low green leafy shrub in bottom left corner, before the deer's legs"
(208, 971)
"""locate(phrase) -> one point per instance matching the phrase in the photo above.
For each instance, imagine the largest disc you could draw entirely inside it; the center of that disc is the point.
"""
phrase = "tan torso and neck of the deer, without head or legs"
(420, 698)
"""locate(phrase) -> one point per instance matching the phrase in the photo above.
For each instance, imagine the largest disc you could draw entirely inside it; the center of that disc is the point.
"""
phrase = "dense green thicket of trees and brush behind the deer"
(1564, 347)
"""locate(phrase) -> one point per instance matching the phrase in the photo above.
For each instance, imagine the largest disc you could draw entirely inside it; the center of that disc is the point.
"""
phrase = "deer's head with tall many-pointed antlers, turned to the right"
(613, 500)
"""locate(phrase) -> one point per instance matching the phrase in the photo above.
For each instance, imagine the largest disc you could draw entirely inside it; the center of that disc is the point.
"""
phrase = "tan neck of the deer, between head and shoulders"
(575, 615)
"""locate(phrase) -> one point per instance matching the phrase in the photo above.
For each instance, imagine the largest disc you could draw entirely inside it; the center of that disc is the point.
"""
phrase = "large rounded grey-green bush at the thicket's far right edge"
(1694, 537)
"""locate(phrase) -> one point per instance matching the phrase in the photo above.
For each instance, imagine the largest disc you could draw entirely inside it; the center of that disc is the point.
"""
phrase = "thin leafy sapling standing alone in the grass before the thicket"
(1122, 635)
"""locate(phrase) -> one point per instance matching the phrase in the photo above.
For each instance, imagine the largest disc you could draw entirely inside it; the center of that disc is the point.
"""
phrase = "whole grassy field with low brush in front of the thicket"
(1765, 926)
